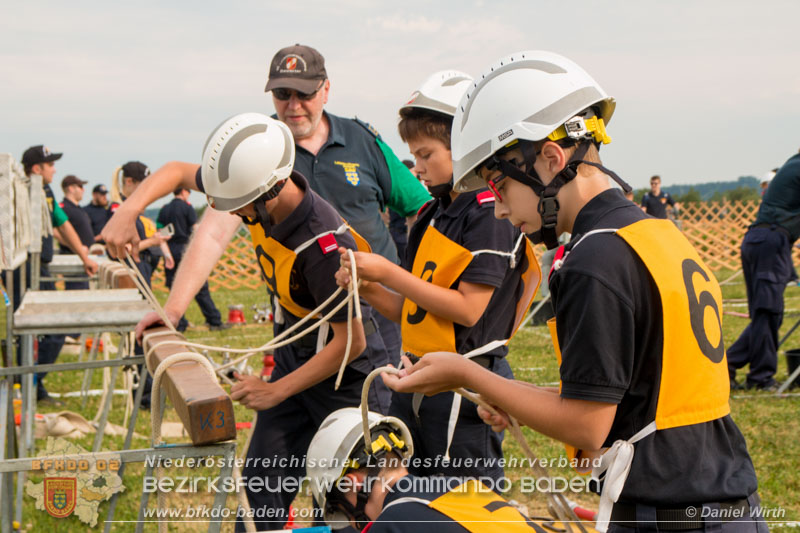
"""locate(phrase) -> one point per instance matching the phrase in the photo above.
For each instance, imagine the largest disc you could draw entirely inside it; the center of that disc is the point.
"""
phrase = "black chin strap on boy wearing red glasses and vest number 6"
(548, 203)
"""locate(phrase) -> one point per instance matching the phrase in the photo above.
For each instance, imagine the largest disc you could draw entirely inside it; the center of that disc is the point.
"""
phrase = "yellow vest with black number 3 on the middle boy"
(441, 261)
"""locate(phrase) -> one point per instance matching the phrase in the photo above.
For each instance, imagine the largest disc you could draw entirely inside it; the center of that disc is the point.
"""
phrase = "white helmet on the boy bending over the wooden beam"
(244, 157)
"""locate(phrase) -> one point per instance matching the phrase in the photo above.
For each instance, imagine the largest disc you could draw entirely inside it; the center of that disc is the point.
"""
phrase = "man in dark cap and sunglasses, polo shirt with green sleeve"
(345, 161)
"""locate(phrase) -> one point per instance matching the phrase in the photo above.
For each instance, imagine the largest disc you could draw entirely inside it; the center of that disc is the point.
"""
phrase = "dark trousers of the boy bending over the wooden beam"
(284, 432)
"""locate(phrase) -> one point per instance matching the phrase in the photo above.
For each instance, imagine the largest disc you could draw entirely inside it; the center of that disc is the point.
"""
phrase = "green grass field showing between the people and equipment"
(769, 424)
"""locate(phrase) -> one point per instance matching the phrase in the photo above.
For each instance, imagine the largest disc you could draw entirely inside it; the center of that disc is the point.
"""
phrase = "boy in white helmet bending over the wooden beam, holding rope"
(247, 170)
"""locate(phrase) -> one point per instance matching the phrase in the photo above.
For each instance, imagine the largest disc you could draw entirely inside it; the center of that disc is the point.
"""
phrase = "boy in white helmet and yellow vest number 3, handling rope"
(472, 277)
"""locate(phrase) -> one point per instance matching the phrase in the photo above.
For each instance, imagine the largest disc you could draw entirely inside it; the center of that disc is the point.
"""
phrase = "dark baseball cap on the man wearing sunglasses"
(296, 67)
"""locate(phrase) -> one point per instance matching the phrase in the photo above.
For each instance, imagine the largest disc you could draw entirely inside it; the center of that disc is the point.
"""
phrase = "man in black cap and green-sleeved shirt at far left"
(40, 160)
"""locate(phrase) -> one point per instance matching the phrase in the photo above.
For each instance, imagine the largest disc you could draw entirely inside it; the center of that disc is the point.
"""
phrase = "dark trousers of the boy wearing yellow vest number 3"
(473, 438)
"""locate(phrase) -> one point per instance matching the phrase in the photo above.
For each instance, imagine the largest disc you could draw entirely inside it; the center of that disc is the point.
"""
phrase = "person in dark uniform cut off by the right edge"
(767, 266)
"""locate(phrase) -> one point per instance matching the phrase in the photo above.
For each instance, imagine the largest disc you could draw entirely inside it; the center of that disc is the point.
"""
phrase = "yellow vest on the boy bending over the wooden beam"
(277, 261)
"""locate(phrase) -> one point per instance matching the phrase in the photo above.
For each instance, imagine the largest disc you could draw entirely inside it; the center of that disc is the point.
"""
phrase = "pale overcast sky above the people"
(706, 90)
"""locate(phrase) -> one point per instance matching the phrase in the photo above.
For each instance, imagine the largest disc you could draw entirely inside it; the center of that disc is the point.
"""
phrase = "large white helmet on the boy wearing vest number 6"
(526, 96)
